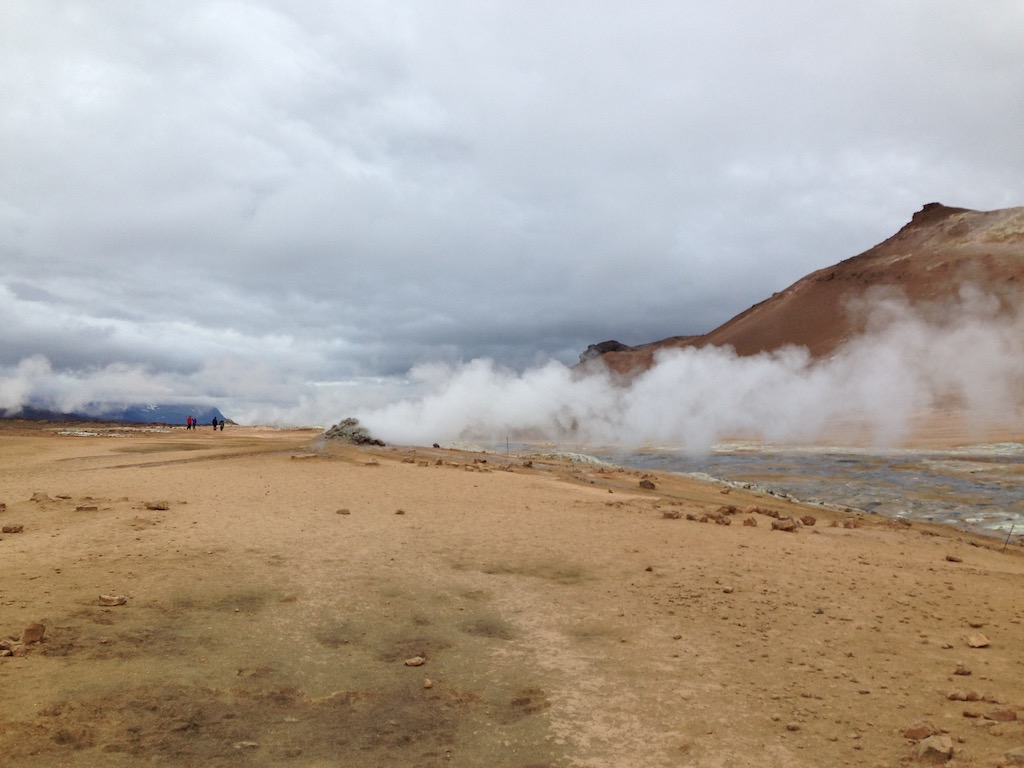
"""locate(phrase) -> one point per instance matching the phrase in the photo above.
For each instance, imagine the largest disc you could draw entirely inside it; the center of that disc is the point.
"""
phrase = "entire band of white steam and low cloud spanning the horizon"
(969, 358)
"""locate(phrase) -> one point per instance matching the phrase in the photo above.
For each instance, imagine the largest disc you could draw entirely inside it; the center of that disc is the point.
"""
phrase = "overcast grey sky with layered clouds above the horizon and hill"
(283, 207)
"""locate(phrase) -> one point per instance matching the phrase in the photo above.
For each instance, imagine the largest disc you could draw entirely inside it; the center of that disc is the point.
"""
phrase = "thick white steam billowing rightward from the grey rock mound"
(970, 358)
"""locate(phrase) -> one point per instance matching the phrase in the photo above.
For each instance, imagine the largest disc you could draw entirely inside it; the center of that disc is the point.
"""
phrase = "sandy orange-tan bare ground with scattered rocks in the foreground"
(308, 605)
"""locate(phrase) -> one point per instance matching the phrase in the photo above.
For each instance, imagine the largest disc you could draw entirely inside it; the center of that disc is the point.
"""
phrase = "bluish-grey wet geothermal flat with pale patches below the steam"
(979, 488)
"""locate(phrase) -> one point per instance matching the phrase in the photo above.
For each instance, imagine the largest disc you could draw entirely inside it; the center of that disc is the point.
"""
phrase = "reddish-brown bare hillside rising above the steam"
(929, 262)
